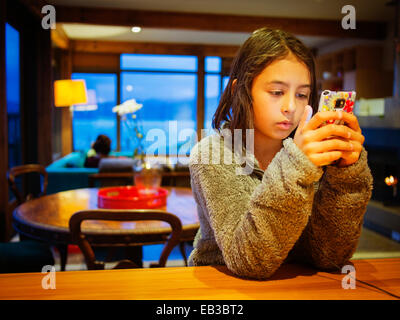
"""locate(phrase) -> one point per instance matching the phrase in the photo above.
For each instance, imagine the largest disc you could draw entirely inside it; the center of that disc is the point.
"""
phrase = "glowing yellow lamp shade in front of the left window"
(69, 92)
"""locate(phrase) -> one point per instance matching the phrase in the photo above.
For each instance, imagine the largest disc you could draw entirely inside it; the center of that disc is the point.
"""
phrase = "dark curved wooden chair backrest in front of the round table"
(122, 215)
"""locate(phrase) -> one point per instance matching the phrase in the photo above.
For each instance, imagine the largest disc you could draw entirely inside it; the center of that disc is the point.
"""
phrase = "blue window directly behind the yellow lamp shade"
(87, 125)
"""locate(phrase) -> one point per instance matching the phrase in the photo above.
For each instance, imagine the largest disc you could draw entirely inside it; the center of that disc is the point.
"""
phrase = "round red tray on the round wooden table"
(131, 197)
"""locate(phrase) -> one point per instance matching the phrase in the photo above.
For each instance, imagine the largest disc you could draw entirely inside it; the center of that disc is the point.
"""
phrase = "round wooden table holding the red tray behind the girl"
(46, 219)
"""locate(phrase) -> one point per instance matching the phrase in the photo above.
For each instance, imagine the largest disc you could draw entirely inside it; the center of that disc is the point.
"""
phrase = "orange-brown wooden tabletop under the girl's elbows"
(206, 283)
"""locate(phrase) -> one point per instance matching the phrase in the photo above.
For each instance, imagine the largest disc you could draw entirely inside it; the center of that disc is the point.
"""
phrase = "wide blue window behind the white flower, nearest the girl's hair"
(168, 92)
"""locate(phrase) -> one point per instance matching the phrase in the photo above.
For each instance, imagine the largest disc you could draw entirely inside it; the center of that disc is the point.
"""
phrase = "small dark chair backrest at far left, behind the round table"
(25, 169)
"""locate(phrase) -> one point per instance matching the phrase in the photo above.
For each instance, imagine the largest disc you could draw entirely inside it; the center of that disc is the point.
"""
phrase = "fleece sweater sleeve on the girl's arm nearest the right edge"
(331, 237)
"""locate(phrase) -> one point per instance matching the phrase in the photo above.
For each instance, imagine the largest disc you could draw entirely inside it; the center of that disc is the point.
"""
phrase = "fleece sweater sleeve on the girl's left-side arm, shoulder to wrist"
(256, 229)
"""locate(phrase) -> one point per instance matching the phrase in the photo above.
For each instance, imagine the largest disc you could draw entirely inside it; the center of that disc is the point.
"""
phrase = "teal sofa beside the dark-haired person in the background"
(69, 173)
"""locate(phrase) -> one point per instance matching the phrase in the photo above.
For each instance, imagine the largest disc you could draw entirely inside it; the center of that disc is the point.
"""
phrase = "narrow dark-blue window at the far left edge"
(13, 96)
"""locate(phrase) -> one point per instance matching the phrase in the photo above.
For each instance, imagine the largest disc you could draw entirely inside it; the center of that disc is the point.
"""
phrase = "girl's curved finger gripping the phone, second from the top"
(330, 130)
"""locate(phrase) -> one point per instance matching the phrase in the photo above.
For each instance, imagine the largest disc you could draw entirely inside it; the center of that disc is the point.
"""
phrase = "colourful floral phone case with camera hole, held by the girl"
(337, 100)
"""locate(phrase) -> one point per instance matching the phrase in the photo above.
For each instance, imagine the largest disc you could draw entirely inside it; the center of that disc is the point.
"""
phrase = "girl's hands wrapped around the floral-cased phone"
(326, 144)
